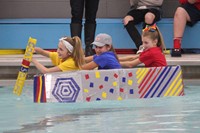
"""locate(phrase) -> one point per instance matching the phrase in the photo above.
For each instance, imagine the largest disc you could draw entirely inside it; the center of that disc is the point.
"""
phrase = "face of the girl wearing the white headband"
(62, 51)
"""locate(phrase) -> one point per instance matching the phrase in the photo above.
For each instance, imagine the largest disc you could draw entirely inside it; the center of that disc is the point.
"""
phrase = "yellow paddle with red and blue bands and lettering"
(25, 66)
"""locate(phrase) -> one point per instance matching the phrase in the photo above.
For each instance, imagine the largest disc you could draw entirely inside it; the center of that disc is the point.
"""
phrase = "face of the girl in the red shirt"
(147, 42)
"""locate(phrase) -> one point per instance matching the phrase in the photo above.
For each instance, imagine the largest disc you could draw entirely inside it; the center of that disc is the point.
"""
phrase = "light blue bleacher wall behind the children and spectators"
(15, 32)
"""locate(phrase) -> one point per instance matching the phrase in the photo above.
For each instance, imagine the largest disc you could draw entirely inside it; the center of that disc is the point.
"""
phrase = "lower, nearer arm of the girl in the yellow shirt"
(44, 69)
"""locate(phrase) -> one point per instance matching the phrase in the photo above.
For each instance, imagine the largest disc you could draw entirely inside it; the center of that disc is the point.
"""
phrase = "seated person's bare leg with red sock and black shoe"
(187, 13)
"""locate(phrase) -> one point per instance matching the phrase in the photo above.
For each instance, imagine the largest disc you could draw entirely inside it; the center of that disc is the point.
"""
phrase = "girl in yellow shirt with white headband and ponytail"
(69, 56)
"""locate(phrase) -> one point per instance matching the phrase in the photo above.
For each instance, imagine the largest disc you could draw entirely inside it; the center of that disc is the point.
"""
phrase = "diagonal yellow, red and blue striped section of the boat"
(162, 81)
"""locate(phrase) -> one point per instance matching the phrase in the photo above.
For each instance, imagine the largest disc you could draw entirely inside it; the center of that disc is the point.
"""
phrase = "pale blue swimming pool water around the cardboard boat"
(155, 115)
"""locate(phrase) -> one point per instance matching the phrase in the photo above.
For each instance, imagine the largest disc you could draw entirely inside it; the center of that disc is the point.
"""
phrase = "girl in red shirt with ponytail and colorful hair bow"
(152, 56)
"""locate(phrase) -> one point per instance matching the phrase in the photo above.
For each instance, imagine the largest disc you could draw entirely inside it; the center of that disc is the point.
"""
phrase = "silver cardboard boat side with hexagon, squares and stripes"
(115, 84)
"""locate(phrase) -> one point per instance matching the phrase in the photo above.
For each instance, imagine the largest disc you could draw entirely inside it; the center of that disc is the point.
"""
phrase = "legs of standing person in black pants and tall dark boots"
(77, 9)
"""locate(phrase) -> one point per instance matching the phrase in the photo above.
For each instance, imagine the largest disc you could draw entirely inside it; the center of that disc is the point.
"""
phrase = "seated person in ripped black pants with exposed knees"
(147, 11)
